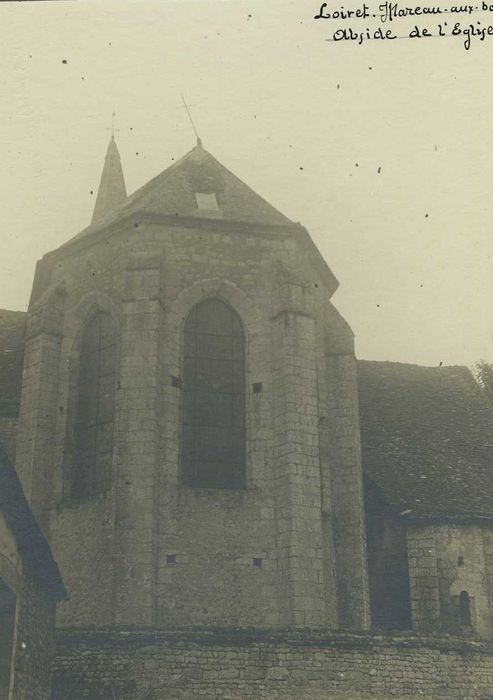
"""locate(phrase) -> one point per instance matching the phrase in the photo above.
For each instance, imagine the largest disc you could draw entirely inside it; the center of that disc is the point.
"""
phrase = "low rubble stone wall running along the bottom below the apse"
(182, 664)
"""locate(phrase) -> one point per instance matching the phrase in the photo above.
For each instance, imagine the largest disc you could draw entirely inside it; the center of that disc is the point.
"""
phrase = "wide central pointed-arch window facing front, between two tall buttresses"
(213, 420)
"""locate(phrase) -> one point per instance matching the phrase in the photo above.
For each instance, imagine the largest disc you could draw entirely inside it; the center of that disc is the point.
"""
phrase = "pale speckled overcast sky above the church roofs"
(306, 123)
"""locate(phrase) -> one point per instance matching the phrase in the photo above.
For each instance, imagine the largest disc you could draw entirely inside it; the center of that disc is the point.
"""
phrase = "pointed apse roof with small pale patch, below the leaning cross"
(172, 193)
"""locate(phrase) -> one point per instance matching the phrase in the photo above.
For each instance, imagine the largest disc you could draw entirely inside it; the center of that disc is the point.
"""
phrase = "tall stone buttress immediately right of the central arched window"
(297, 458)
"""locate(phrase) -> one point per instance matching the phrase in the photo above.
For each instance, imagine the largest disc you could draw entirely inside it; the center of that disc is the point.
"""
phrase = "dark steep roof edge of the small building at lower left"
(33, 547)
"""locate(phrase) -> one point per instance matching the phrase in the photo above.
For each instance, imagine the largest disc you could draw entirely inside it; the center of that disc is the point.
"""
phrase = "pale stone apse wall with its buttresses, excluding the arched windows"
(148, 276)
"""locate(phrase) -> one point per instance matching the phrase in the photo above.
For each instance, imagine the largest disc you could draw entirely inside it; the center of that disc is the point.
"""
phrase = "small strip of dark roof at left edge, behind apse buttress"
(12, 336)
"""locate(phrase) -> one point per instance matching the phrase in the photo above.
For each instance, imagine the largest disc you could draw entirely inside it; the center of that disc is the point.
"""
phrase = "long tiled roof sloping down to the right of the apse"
(427, 437)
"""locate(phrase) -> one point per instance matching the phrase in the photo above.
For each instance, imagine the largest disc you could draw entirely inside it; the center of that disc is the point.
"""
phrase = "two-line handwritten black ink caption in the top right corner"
(427, 21)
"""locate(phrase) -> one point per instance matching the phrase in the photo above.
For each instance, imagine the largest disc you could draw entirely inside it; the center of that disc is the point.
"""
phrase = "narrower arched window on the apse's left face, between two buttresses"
(95, 408)
